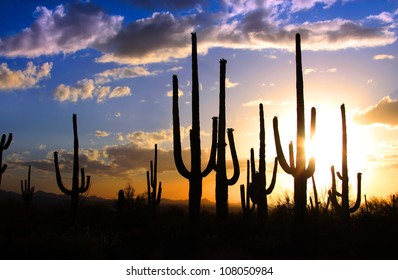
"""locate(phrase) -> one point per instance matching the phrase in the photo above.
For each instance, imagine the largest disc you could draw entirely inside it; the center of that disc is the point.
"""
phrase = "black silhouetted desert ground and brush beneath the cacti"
(105, 232)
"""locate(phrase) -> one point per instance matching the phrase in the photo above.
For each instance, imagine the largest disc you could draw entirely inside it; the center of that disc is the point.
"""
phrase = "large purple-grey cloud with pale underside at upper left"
(65, 29)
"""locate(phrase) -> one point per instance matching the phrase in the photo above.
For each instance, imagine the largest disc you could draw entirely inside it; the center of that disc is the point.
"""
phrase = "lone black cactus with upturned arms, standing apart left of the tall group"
(85, 184)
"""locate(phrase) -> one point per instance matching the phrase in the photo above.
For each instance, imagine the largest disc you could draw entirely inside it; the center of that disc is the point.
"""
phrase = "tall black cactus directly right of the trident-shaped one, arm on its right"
(222, 182)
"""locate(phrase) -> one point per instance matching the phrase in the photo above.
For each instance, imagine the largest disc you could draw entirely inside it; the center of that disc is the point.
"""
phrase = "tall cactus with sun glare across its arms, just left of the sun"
(298, 169)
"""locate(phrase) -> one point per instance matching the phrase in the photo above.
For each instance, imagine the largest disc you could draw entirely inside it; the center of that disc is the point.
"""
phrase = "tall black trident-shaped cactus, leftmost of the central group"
(196, 175)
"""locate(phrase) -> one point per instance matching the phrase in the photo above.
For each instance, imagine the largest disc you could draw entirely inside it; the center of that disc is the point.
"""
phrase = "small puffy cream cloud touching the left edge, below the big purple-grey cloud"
(22, 79)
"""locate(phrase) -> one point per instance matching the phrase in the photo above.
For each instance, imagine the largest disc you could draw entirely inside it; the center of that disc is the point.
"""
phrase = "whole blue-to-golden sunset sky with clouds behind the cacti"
(111, 63)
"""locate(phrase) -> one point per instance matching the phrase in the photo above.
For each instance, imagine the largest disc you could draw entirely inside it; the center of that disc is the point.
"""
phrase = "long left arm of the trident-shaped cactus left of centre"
(176, 131)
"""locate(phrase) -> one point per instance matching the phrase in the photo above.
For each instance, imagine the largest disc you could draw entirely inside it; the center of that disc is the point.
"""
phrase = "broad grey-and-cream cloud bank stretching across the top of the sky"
(165, 36)
